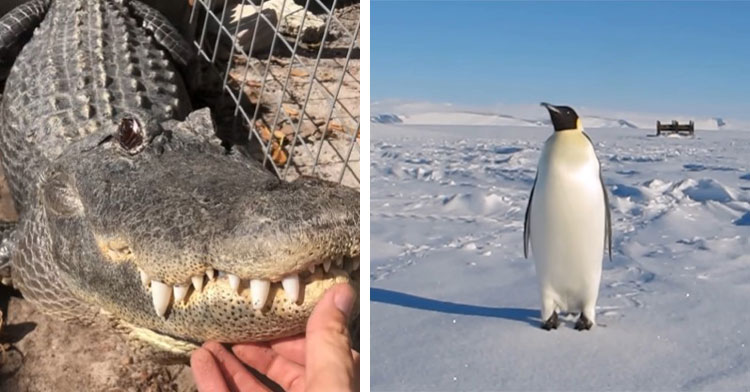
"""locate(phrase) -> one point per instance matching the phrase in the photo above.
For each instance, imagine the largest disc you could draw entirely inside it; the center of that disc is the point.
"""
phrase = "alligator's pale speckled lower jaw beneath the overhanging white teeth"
(218, 311)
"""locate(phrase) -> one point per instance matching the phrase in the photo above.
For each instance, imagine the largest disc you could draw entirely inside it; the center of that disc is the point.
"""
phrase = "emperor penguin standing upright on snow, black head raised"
(568, 222)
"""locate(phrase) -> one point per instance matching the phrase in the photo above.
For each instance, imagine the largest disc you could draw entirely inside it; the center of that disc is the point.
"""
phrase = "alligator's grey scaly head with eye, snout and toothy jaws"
(184, 242)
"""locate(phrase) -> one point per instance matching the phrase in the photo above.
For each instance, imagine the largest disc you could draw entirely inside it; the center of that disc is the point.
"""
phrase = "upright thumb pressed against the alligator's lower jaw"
(328, 359)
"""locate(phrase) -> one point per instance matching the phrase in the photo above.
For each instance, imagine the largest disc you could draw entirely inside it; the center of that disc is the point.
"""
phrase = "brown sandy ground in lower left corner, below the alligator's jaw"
(44, 354)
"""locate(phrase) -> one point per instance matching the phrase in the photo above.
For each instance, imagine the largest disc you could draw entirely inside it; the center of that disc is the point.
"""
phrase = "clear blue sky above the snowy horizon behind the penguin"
(685, 57)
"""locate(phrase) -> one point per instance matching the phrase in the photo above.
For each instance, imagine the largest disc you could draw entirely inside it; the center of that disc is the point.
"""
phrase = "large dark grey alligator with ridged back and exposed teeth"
(132, 214)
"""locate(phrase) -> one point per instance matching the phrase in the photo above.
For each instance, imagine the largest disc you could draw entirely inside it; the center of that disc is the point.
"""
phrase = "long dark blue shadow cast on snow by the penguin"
(529, 316)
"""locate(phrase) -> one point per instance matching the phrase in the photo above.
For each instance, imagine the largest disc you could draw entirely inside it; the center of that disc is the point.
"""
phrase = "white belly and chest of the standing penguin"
(567, 224)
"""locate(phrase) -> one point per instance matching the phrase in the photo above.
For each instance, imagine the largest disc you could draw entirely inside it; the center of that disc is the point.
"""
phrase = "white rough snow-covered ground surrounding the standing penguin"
(455, 304)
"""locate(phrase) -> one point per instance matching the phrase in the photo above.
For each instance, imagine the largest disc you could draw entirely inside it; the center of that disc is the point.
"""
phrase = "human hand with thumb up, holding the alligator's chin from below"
(320, 360)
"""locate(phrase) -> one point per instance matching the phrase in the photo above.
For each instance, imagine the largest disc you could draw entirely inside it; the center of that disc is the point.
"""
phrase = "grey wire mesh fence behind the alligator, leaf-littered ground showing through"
(292, 73)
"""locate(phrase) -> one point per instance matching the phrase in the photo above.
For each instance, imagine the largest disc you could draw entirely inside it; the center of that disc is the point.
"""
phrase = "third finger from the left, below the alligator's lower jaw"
(288, 374)
